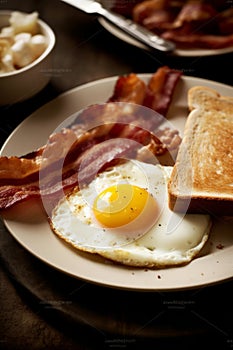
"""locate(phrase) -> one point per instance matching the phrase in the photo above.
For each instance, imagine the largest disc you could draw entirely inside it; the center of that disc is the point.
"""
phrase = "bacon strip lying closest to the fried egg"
(64, 175)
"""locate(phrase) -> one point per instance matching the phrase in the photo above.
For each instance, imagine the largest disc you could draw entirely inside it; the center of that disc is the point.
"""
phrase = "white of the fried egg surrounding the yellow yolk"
(170, 239)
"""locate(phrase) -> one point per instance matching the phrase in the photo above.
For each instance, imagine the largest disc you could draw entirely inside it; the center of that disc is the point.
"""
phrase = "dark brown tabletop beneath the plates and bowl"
(44, 309)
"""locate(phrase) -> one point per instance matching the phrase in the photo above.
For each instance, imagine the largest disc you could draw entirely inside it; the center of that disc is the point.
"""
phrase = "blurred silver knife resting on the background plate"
(140, 33)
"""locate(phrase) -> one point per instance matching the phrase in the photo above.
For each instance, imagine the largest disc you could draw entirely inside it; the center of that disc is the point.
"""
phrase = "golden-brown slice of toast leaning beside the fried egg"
(202, 178)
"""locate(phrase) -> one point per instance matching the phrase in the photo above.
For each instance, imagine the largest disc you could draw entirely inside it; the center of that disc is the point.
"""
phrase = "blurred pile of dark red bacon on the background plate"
(190, 24)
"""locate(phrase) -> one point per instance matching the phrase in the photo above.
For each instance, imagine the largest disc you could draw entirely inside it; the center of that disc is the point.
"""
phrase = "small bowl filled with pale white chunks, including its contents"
(26, 48)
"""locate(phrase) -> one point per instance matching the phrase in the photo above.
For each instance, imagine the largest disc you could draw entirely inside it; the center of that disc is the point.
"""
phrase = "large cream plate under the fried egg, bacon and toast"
(212, 266)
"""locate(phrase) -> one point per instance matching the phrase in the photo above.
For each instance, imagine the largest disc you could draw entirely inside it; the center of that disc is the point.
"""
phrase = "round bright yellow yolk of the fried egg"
(120, 204)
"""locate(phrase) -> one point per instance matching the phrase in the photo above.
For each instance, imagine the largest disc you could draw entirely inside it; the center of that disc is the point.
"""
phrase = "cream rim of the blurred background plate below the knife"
(195, 52)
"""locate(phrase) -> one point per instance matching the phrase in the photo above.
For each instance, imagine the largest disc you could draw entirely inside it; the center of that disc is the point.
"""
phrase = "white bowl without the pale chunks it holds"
(24, 83)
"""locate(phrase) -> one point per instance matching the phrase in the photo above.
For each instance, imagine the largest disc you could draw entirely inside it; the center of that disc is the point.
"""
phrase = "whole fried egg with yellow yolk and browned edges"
(123, 215)
